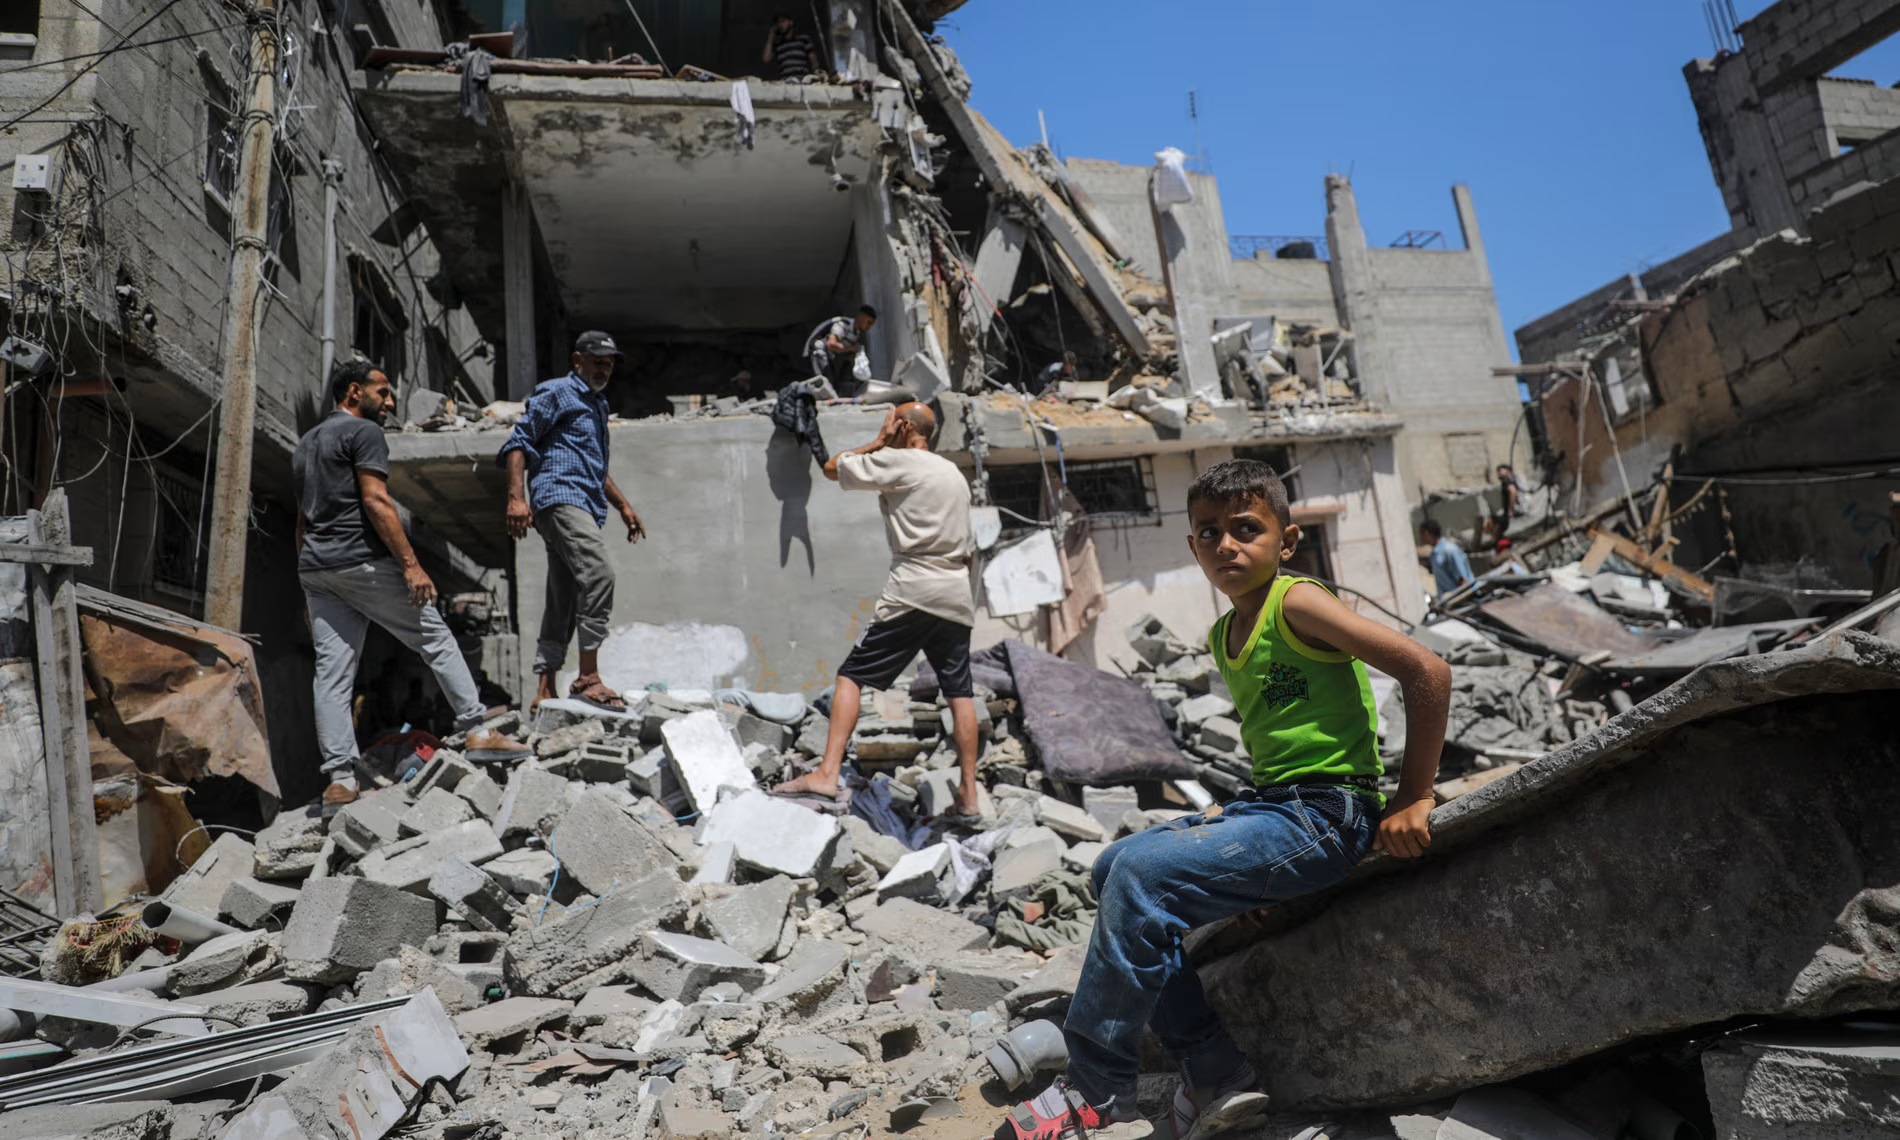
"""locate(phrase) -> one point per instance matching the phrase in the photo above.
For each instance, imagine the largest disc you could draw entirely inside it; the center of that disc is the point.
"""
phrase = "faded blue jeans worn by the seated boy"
(1160, 884)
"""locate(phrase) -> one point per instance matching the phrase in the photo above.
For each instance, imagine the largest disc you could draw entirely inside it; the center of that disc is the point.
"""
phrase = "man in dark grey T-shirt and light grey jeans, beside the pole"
(356, 567)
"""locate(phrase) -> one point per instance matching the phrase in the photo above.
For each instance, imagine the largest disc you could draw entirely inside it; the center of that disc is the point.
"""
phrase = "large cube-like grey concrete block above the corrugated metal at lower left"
(347, 926)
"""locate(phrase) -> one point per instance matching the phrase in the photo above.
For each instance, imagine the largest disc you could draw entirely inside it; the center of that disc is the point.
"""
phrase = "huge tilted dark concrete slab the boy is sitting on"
(1772, 873)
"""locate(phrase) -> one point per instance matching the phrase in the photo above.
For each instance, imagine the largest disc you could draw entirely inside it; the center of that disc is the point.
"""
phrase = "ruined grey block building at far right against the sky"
(1755, 371)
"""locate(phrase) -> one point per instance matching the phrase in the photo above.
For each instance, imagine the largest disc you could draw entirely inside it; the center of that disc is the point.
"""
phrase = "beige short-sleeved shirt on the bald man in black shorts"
(926, 520)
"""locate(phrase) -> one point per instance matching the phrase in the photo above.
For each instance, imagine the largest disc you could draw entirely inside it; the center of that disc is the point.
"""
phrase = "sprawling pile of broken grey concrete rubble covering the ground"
(628, 934)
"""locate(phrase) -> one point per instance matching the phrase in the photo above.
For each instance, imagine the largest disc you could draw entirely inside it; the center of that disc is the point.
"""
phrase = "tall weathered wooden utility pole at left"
(231, 499)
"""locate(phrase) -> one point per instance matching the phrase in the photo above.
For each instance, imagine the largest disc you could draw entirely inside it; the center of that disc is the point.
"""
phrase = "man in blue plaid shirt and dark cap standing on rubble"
(560, 485)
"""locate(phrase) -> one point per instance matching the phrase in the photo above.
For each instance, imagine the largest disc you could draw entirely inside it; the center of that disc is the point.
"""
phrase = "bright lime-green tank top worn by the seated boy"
(1306, 715)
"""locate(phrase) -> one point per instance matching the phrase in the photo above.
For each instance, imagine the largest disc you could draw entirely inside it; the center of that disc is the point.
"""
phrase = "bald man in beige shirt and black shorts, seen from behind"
(926, 607)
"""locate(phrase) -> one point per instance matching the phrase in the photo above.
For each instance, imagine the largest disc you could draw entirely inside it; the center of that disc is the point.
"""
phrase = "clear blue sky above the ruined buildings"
(1568, 119)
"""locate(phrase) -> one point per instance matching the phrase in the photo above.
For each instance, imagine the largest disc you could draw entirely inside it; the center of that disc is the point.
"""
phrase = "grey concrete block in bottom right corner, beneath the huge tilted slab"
(1836, 1084)
